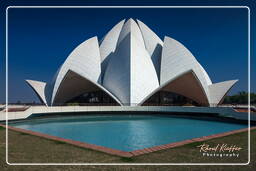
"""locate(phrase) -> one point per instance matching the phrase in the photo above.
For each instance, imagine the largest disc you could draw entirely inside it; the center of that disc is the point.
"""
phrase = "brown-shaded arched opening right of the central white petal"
(185, 89)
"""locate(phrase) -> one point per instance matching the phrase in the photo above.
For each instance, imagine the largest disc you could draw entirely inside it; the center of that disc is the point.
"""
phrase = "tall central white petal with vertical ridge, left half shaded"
(130, 74)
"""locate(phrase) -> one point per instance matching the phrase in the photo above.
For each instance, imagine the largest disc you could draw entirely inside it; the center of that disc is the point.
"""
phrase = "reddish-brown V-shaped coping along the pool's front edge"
(121, 153)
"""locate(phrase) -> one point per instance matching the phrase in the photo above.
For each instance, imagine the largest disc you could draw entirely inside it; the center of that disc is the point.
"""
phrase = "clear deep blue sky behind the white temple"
(41, 39)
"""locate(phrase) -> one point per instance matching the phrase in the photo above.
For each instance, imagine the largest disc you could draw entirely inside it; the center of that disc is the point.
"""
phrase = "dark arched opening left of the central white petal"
(77, 90)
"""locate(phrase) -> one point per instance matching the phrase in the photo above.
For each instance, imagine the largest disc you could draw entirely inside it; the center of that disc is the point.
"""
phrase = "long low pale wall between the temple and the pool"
(222, 111)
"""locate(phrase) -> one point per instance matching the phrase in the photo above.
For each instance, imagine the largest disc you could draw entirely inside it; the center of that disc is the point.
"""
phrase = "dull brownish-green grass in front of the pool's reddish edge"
(32, 149)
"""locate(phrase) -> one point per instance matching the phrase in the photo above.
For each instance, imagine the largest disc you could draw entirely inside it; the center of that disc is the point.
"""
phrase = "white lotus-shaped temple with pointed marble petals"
(130, 66)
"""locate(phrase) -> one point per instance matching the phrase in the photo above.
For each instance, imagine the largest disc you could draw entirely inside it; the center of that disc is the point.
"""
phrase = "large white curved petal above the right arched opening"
(177, 59)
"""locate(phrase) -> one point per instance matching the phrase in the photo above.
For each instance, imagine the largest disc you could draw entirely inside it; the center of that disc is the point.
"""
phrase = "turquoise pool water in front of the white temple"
(127, 132)
